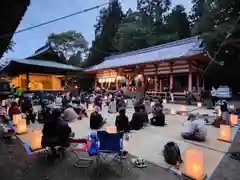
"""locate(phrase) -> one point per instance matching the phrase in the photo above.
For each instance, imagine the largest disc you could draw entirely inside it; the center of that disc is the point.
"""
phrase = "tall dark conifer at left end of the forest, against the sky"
(105, 30)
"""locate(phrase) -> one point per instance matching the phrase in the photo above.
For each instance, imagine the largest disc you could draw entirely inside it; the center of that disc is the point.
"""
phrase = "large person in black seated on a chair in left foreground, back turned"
(56, 132)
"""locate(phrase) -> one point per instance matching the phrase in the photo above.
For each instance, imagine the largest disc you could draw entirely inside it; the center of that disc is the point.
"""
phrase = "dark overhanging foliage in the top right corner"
(217, 19)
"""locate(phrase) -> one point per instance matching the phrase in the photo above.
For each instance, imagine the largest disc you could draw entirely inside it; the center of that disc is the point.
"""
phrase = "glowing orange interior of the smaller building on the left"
(39, 82)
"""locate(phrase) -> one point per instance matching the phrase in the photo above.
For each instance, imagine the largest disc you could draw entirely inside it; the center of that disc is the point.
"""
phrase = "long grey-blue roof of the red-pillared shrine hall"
(186, 47)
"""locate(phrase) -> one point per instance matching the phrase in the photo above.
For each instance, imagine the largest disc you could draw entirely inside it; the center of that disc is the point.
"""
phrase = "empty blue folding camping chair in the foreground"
(110, 144)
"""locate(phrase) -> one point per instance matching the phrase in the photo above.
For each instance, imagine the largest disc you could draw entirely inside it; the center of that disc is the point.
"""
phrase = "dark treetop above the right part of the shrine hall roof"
(177, 22)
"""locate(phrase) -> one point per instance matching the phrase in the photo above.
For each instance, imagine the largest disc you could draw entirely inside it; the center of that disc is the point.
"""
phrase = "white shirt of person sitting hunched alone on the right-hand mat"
(198, 128)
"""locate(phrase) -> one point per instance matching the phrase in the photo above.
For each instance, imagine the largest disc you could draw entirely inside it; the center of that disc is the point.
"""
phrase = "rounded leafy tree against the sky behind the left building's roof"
(68, 43)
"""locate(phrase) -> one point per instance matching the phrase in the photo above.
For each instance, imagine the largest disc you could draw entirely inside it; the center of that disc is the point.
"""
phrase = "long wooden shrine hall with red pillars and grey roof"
(177, 64)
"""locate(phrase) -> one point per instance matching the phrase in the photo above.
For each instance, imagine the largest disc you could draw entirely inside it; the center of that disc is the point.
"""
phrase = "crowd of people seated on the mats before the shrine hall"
(56, 131)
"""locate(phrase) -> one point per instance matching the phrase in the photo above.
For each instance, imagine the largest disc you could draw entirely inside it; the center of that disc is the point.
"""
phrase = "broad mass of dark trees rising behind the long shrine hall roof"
(151, 24)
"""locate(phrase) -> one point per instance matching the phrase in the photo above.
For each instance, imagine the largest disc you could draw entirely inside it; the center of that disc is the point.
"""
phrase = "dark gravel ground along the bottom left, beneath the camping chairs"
(17, 165)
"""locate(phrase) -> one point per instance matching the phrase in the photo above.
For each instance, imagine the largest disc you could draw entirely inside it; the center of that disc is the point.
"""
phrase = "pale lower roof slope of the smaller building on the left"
(43, 63)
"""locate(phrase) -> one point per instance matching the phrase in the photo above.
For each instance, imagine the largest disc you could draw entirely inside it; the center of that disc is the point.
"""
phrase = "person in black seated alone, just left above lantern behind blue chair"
(96, 119)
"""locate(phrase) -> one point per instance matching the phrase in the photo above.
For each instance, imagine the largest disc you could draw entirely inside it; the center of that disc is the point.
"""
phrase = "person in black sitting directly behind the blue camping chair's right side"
(122, 122)
